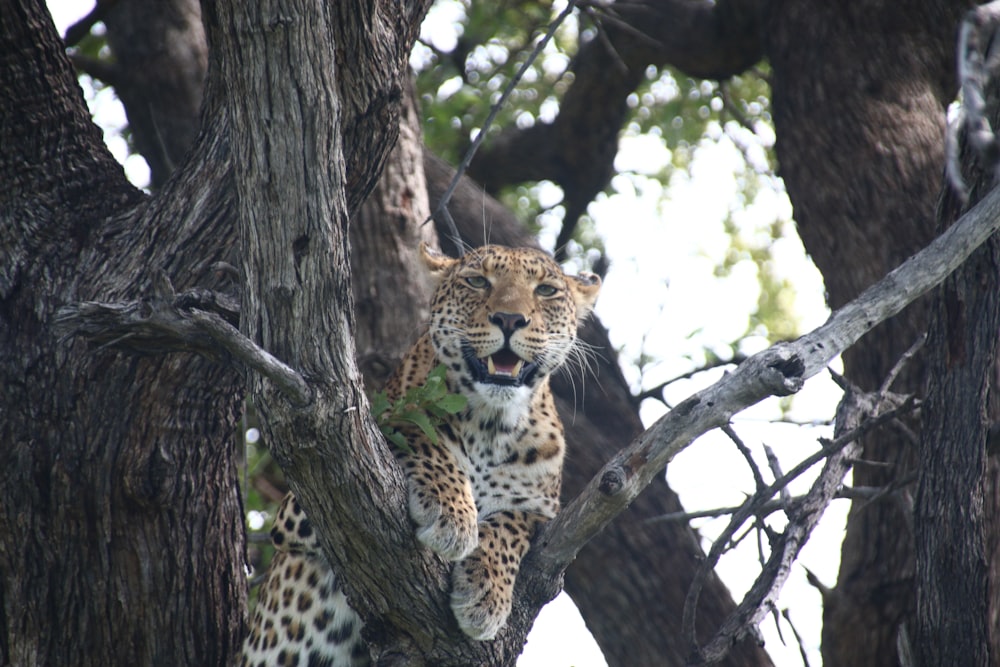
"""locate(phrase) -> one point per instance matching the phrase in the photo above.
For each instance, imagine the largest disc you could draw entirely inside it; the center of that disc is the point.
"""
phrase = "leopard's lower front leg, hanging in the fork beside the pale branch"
(483, 584)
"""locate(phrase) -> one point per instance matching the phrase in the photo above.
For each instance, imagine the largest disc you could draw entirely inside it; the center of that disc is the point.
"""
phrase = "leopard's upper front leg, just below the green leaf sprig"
(440, 499)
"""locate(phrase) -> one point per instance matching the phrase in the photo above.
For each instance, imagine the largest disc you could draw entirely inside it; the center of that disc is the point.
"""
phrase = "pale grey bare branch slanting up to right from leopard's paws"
(779, 370)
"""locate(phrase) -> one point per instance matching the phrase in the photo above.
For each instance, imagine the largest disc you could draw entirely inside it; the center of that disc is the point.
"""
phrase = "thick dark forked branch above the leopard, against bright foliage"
(712, 40)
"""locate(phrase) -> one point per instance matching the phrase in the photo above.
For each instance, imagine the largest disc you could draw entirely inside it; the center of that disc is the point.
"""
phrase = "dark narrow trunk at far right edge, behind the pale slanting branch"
(953, 508)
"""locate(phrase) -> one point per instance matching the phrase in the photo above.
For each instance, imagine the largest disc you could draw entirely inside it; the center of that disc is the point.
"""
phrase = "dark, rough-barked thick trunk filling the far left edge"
(118, 491)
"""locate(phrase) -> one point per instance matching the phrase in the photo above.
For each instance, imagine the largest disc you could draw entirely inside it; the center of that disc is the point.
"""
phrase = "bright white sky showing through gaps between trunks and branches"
(662, 298)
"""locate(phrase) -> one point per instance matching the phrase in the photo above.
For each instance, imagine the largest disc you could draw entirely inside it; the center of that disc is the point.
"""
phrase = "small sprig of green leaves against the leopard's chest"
(425, 407)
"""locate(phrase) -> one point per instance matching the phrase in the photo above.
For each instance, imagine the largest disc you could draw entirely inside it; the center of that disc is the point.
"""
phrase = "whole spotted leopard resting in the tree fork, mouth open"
(502, 321)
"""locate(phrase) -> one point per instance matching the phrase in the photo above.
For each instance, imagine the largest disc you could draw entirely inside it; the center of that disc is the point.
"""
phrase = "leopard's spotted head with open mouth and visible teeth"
(502, 319)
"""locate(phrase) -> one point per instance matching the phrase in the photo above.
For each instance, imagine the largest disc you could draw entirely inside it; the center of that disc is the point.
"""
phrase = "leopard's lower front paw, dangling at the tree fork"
(481, 601)
